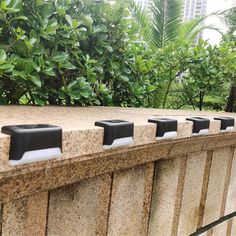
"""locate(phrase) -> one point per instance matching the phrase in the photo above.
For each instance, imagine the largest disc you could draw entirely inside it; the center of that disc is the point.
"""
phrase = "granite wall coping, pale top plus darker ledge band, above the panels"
(83, 154)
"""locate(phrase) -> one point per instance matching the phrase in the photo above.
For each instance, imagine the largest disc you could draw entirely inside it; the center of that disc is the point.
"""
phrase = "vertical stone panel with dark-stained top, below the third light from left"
(163, 208)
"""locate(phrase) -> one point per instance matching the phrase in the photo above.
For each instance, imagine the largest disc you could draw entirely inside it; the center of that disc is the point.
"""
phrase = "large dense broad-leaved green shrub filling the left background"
(68, 52)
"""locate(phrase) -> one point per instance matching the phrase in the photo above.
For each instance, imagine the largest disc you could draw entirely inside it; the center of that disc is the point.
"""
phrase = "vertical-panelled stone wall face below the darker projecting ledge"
(174, 196)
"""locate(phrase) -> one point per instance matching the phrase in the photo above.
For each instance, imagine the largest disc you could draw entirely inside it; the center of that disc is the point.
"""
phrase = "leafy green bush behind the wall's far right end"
(211, 70)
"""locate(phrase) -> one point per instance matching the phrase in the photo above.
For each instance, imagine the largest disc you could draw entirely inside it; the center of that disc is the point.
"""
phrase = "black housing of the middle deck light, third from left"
(164, 125)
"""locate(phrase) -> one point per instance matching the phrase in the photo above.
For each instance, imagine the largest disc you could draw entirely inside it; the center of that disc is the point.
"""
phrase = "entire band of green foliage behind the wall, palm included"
(86, 52)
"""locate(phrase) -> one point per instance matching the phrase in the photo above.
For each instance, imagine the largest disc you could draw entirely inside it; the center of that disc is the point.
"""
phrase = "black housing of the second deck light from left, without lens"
(115, 129)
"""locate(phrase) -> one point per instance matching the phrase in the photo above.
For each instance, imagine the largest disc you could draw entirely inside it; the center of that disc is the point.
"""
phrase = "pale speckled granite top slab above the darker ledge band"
(81, 137)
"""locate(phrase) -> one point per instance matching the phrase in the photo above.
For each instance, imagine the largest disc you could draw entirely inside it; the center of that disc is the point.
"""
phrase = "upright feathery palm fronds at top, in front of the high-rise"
(164, 24)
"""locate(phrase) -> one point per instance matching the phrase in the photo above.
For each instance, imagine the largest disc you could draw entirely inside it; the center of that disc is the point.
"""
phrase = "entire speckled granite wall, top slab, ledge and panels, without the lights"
(169, 187)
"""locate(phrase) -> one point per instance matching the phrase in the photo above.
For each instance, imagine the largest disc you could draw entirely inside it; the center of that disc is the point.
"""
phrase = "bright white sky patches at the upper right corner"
(214, 6)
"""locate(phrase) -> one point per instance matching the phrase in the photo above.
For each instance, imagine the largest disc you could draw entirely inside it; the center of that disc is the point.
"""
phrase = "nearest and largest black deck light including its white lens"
(32, 143)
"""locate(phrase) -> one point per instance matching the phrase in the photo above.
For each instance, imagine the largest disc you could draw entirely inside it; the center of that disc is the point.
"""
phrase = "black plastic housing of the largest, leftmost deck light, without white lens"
(32, 137)
